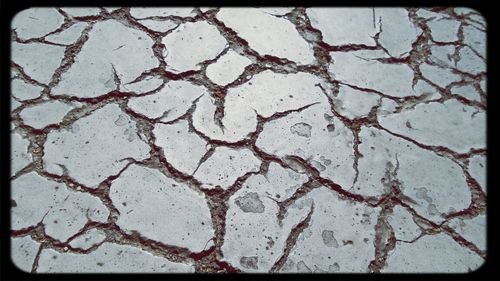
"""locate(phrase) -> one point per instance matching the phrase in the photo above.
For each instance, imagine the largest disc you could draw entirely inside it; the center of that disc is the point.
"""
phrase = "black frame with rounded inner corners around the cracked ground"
(8, 270)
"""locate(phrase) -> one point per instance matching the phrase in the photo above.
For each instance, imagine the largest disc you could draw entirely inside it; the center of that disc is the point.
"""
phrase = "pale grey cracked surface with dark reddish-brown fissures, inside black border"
(248, 140)
